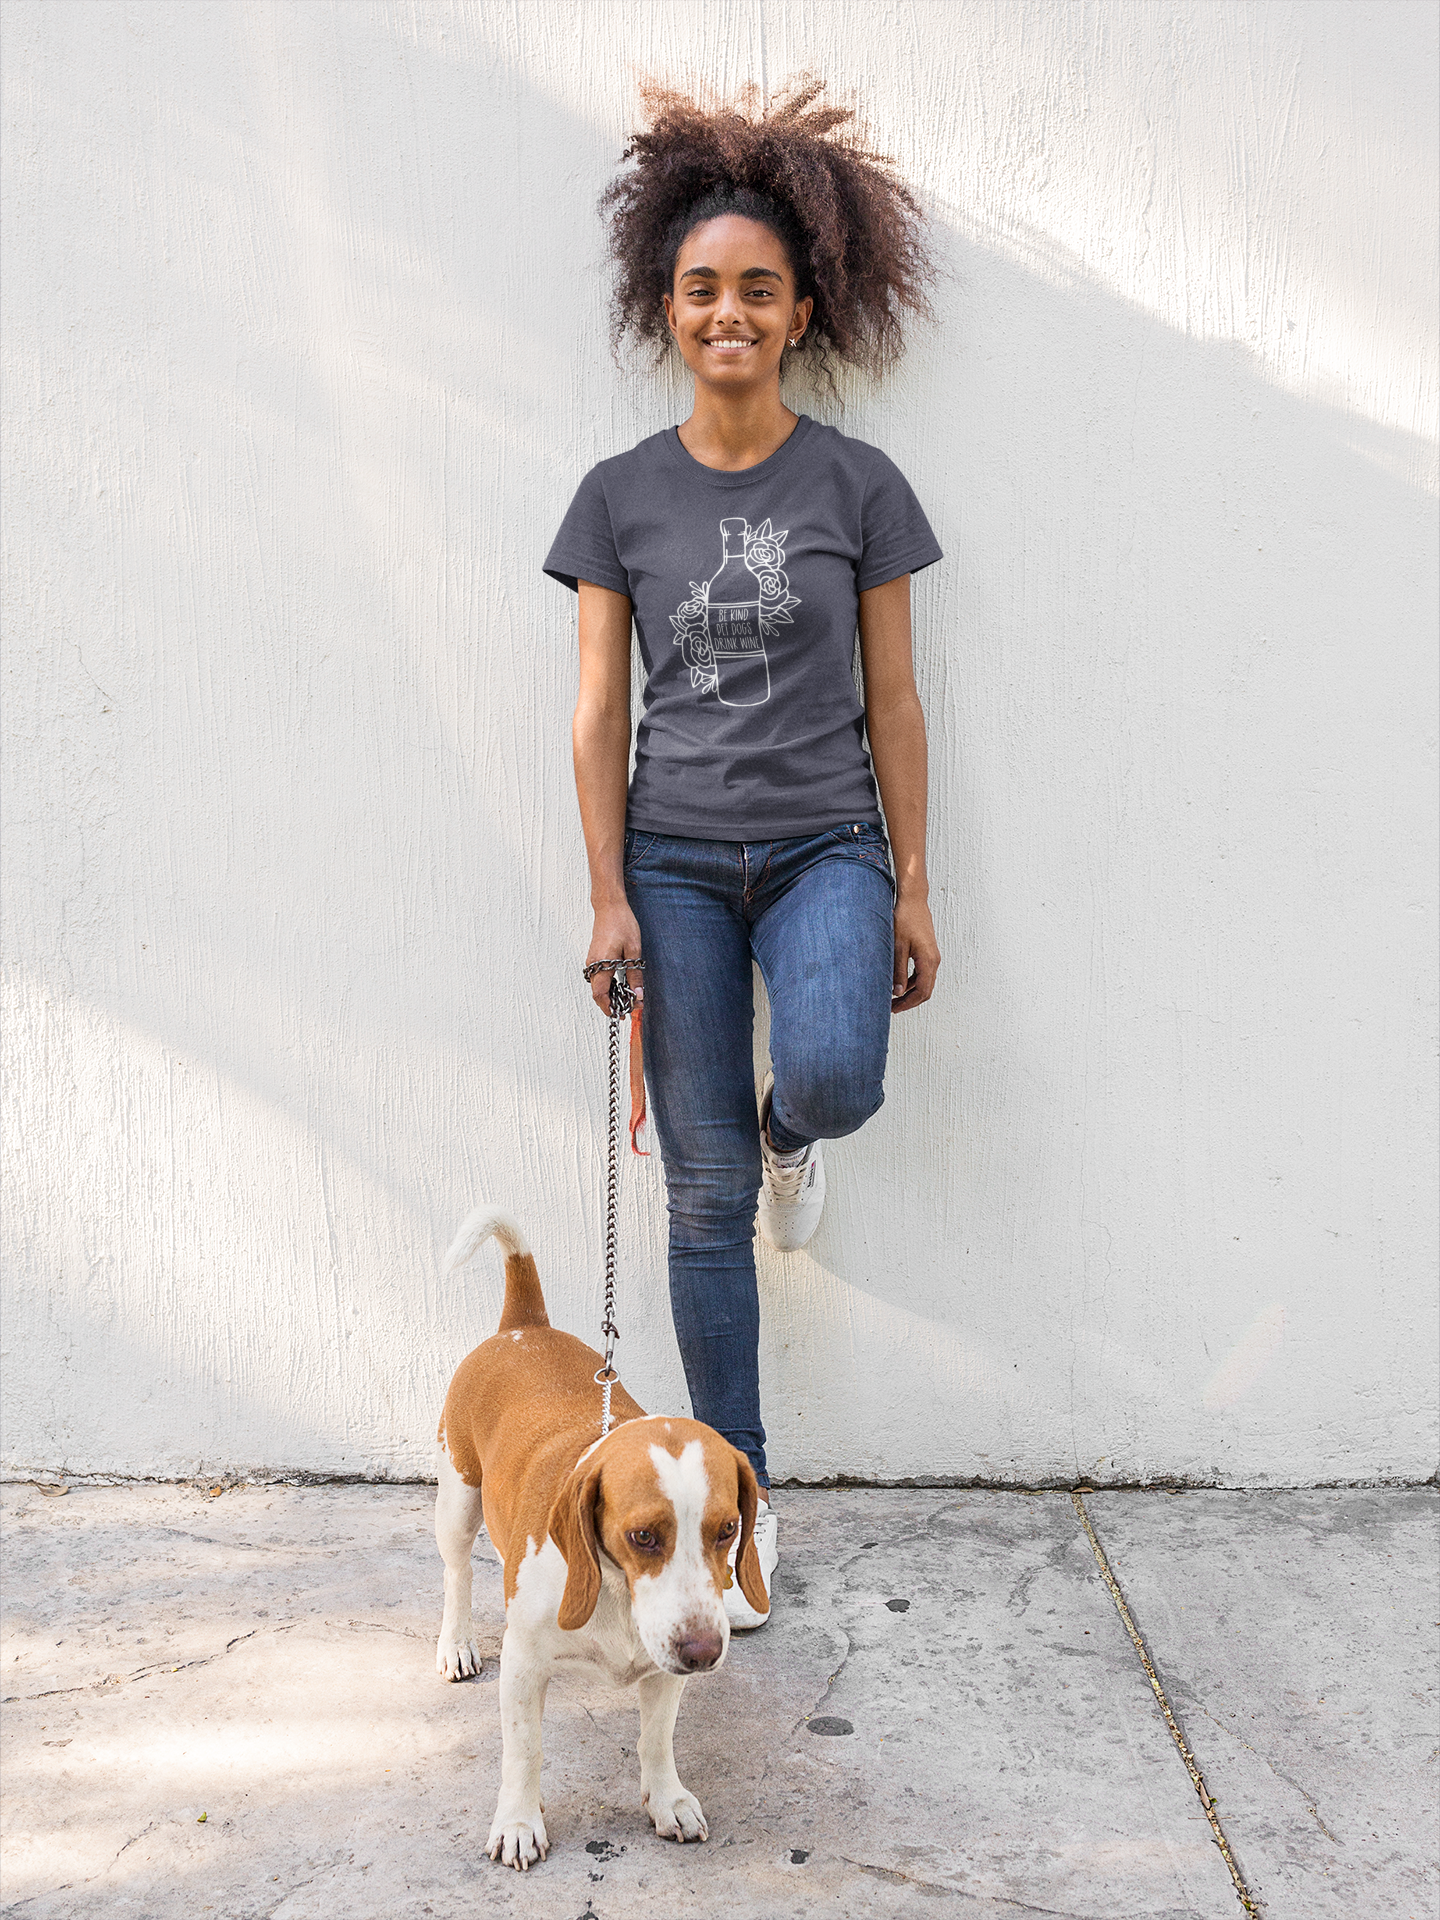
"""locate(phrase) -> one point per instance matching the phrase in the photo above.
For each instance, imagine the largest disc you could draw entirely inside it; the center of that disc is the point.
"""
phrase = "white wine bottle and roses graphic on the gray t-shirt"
(723, 627)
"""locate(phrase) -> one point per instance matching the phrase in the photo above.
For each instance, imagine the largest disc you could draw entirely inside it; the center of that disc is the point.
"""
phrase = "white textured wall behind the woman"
(306, 354)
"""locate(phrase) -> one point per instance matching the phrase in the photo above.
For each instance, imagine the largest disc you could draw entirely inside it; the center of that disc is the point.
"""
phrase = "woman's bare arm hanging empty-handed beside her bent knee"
(898, 750)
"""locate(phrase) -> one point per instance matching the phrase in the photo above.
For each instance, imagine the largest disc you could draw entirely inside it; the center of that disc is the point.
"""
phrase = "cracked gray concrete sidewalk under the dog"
(946, 1716)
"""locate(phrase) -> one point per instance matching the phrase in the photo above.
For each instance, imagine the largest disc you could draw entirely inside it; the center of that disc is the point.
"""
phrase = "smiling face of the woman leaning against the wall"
(734, 304)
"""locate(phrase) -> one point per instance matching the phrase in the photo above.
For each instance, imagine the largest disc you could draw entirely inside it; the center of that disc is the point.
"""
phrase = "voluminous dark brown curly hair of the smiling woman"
(853, 233)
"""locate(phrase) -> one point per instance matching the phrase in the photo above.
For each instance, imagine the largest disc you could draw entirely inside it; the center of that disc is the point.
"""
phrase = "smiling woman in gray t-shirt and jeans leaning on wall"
(748, 546)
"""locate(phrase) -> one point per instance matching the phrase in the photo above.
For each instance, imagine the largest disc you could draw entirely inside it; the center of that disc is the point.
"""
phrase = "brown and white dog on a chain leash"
(615, 1548)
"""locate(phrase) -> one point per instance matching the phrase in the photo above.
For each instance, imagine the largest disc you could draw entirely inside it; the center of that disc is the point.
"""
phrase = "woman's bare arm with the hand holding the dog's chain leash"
(602, 775)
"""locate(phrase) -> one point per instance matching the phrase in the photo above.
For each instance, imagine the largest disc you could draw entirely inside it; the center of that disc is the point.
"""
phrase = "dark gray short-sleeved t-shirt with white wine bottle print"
(746, 592)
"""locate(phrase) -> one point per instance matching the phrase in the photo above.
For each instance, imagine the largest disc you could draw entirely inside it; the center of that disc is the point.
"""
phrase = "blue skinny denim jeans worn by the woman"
(817, 915)
